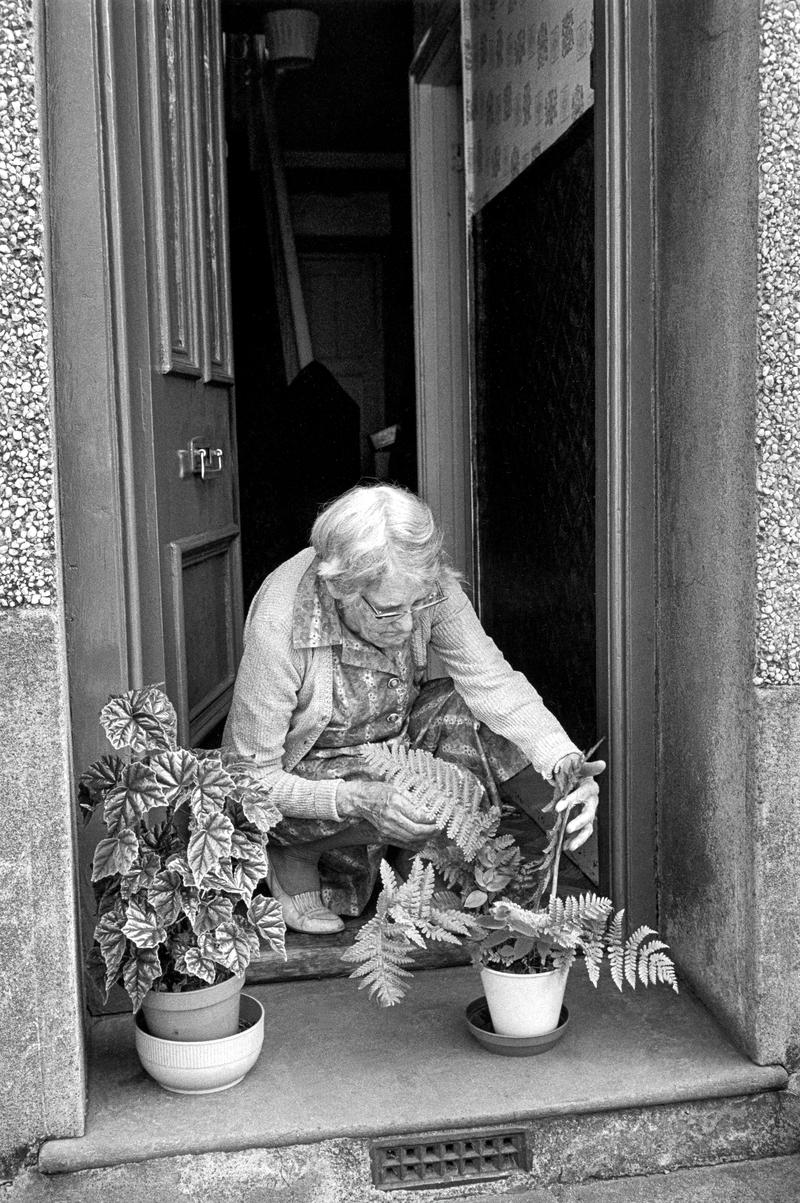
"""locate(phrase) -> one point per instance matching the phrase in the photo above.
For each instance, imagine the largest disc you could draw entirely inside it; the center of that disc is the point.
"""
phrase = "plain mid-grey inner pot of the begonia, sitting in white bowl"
(195, 1015)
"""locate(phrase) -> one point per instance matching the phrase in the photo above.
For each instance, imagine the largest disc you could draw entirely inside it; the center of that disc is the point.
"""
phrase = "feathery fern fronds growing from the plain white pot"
(478, 866)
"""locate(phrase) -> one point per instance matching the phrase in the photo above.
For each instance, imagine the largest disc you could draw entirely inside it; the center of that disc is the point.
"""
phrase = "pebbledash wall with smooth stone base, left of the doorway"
(42, 1075)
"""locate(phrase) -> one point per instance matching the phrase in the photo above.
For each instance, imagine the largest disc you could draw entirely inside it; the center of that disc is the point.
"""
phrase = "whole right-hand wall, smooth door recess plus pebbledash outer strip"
(728, 345)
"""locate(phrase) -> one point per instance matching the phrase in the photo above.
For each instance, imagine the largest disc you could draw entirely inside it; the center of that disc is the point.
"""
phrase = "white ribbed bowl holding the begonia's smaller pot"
(203, 1068)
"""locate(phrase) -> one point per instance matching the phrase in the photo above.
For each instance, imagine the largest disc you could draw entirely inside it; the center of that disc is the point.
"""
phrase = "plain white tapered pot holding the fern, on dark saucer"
(524, 1004)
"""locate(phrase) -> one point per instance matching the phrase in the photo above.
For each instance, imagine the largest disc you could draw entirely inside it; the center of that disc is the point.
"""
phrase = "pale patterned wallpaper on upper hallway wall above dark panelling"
(526, 81)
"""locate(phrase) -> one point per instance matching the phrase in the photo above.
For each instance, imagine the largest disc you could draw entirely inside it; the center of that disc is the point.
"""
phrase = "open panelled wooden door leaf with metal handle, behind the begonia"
(191, 370)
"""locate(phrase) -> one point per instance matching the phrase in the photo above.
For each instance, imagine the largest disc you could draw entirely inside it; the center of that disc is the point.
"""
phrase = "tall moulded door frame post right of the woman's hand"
(626, 449)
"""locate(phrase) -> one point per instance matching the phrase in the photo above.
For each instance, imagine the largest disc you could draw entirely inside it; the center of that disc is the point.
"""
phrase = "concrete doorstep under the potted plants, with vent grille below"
(642, 1083)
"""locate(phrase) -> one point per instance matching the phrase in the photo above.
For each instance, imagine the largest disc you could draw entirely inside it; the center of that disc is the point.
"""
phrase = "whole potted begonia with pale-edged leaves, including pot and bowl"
(180, 914)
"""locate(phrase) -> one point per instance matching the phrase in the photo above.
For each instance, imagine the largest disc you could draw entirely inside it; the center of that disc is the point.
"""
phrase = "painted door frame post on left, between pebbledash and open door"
(105, 466)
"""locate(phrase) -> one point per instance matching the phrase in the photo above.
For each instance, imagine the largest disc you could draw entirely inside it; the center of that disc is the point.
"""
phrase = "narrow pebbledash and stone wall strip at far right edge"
(777, 754)
